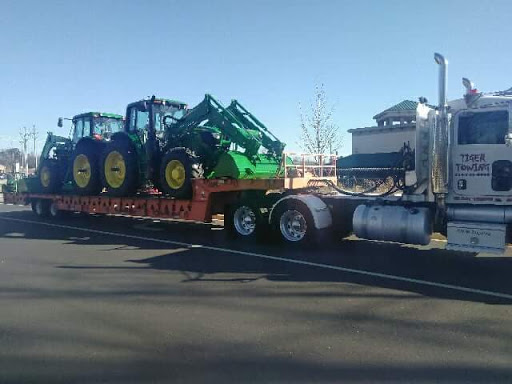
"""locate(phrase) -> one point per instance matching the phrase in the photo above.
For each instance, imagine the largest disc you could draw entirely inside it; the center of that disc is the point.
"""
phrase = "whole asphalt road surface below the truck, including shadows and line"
(118, 300)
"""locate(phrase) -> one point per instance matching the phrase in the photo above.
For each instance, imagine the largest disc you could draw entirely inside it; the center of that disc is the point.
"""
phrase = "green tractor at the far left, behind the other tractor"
(72, 164)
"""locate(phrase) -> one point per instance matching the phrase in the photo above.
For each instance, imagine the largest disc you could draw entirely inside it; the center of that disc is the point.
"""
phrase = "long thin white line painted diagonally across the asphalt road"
(276, 258)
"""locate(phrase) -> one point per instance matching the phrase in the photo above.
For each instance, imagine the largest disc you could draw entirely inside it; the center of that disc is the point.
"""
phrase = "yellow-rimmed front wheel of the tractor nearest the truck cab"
(180, 162)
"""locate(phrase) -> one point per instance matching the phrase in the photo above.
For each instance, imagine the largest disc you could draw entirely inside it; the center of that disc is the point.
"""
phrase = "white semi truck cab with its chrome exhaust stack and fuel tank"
(462, 180)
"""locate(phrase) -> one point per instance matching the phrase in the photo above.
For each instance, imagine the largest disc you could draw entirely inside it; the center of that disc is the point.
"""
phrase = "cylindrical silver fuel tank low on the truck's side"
(393, 223)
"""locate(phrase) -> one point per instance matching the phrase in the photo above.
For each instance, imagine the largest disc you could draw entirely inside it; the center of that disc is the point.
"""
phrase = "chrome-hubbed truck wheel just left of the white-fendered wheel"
(245, 220)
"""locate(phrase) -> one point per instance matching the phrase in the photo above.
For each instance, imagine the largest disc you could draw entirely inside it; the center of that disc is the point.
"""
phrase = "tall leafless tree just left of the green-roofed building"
(319, 134)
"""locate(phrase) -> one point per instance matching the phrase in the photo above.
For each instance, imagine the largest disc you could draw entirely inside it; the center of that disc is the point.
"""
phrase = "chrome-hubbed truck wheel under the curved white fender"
(293, 223)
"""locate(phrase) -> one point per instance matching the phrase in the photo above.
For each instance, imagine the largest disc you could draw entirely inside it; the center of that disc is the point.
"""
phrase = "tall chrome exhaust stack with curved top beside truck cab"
(440, 137)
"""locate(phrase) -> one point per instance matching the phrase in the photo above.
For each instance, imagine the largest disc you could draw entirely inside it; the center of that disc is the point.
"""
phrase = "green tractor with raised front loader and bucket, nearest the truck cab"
(168, 145)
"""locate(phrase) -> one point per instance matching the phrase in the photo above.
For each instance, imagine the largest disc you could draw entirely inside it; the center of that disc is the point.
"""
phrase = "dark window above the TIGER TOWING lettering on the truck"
(483, 128)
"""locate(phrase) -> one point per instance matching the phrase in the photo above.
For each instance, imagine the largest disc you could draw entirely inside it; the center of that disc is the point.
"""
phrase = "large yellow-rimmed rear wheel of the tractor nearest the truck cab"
(119, 168)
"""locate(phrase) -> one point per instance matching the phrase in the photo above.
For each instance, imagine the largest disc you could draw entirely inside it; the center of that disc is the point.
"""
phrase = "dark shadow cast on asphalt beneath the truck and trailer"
(204, 264)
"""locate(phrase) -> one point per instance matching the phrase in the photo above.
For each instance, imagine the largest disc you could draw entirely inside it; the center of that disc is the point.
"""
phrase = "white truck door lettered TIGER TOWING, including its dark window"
(481, 162)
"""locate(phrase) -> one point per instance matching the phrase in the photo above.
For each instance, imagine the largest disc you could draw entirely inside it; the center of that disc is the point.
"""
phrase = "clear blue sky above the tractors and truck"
(60, 58)
